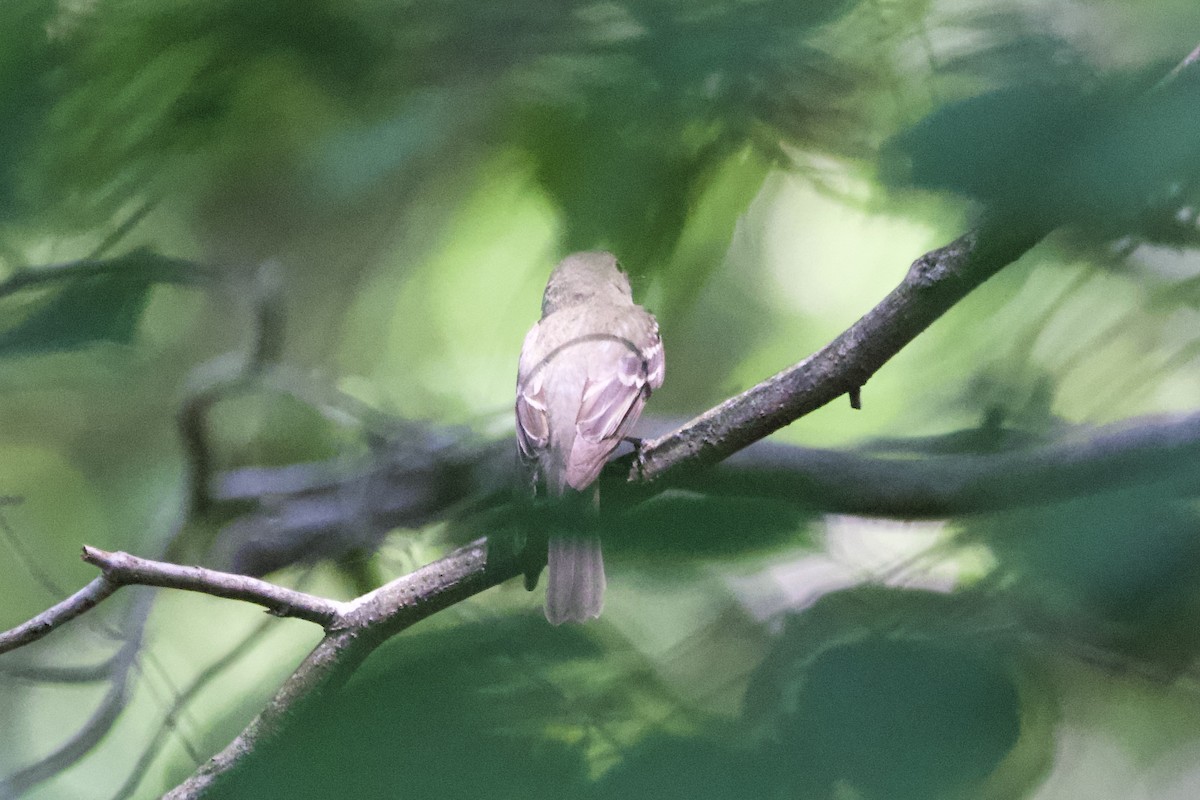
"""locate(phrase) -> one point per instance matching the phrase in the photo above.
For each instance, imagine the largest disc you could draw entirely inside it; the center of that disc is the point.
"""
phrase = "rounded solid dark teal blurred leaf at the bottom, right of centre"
(898, 719)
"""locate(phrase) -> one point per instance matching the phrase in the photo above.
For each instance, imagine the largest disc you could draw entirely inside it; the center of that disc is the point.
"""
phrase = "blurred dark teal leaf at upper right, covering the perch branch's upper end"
(1101, 158)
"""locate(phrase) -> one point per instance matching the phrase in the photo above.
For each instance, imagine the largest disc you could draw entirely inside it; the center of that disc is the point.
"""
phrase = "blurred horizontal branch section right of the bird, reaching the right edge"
(1163, 453)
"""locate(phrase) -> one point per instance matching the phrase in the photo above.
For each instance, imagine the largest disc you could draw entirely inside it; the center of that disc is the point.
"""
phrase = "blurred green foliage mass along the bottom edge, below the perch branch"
(513, 709)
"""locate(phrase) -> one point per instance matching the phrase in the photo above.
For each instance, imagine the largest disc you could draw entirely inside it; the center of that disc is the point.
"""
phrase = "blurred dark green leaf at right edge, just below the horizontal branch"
(1120, 569)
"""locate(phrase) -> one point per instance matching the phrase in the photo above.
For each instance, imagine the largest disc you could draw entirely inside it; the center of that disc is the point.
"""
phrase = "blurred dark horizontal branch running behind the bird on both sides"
(968, 472)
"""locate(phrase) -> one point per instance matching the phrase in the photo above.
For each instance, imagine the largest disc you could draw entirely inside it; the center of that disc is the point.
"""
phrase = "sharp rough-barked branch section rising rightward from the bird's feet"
(934, 284)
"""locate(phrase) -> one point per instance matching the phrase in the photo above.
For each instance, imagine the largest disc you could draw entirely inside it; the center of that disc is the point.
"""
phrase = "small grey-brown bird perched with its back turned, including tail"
(586, 371)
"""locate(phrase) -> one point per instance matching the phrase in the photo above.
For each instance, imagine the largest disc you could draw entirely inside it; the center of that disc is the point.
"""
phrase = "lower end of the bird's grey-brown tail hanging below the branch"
(575, 581)
